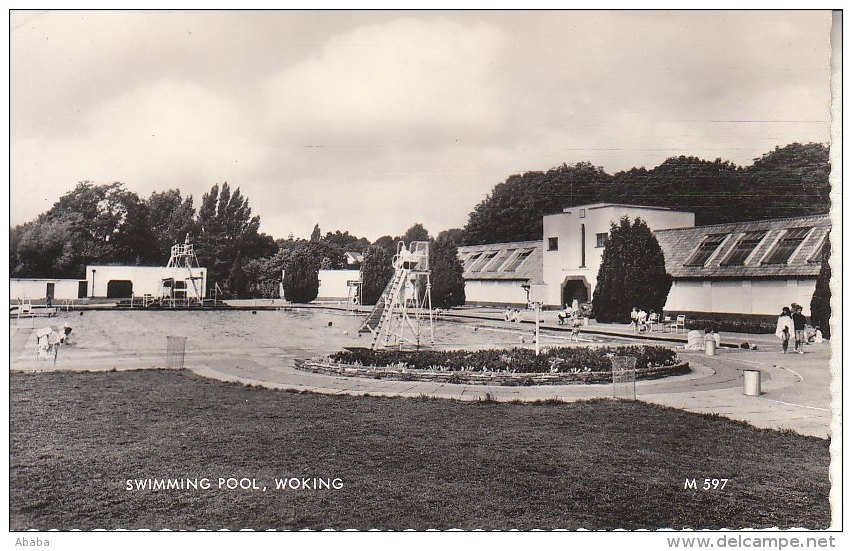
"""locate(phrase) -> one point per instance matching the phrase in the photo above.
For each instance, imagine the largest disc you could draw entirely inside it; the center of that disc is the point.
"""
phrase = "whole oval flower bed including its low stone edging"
(516, 367)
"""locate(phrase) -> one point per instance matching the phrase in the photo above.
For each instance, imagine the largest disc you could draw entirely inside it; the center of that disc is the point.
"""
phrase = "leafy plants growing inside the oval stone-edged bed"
(516, 360)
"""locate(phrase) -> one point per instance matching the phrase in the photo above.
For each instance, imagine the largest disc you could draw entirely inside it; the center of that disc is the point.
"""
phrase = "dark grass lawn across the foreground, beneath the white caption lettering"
(77, 437)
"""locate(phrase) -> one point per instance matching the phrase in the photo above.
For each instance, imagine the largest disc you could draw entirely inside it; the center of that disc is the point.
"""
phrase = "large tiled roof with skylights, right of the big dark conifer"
(681, 245)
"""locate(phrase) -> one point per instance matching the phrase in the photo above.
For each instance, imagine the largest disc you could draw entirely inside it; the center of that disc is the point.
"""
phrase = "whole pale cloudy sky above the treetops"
(369, 122)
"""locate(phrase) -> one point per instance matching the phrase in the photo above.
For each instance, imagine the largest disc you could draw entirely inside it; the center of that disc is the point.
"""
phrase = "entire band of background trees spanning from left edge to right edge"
(108, 224)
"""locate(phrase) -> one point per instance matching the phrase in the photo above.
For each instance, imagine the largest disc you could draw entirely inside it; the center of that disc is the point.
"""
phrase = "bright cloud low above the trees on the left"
(168, 134)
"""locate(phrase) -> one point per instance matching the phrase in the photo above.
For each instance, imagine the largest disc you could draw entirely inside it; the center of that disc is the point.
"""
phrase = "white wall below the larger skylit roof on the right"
(759, 297)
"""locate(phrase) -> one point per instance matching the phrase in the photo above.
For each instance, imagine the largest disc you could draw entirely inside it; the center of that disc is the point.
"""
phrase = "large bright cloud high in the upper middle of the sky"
(407, 80)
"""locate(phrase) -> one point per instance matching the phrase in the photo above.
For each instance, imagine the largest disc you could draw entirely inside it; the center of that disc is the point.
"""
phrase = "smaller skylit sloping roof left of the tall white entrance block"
(520, 261)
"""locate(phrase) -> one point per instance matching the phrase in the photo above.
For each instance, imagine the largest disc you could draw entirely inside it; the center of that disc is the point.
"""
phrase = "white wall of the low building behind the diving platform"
(146, 279)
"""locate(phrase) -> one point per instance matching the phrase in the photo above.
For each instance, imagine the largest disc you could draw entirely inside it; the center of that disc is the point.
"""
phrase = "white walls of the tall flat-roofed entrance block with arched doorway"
(567, 261)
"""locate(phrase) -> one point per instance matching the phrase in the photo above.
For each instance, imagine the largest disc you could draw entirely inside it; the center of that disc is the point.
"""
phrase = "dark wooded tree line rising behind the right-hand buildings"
(788, 181)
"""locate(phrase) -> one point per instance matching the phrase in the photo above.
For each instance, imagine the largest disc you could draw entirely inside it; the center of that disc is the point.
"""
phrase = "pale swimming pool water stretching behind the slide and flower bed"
(107, 339)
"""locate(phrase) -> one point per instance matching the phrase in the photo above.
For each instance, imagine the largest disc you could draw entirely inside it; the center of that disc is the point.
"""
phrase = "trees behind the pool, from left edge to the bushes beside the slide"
(108, 224)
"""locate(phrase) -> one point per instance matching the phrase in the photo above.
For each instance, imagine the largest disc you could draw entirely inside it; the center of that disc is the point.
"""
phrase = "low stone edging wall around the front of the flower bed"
(501, 378)
